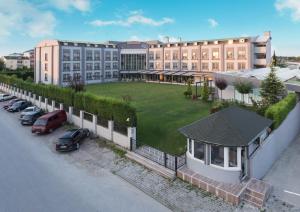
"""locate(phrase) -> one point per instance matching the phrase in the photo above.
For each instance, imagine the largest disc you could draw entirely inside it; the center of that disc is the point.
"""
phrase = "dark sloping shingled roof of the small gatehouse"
(232, 126)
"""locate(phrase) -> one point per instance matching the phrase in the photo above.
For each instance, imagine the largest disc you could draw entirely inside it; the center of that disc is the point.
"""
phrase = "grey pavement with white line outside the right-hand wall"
(285, 174)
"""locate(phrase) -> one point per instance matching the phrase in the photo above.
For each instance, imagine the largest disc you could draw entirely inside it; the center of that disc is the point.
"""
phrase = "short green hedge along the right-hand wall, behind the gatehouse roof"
(279, 111)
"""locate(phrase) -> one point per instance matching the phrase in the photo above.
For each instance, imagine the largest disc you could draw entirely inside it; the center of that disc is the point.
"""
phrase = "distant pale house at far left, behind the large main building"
(17, 60)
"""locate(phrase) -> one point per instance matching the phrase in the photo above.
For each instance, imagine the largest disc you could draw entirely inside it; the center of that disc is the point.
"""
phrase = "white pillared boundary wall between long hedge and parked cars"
(107, 133)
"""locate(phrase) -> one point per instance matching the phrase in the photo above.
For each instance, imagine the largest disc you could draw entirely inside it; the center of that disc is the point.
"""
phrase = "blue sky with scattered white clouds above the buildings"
(24, 23)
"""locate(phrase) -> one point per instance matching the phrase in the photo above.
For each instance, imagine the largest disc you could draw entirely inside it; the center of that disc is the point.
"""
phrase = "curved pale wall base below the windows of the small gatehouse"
(218, 174)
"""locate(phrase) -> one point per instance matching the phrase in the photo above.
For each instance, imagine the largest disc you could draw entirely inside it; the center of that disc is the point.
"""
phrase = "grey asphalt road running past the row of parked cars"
(33, 178)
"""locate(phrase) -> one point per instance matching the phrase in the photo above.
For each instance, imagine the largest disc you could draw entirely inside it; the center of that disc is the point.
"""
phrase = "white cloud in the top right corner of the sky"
(289, 6)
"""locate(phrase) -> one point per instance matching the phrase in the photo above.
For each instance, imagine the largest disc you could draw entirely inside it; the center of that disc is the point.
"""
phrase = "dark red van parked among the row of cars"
(49, 122)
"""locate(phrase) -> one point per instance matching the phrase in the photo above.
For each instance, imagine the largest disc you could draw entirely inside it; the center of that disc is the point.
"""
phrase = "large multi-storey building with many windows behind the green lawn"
(57, 61)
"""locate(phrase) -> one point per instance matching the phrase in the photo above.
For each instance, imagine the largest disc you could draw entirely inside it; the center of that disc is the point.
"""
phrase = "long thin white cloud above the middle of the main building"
(134, 17)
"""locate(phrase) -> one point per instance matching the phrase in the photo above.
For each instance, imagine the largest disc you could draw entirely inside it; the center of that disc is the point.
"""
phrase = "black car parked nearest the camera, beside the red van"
(71, 140)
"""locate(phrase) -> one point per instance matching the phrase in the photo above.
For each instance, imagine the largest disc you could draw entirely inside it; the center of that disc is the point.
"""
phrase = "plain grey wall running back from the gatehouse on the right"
(271, 149)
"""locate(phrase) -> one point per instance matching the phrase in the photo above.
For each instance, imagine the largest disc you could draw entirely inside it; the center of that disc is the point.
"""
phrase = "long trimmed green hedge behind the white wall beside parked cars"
(104, 107)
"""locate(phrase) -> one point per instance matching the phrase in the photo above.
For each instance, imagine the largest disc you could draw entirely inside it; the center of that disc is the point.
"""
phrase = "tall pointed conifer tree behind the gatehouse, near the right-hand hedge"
(272, 89)
